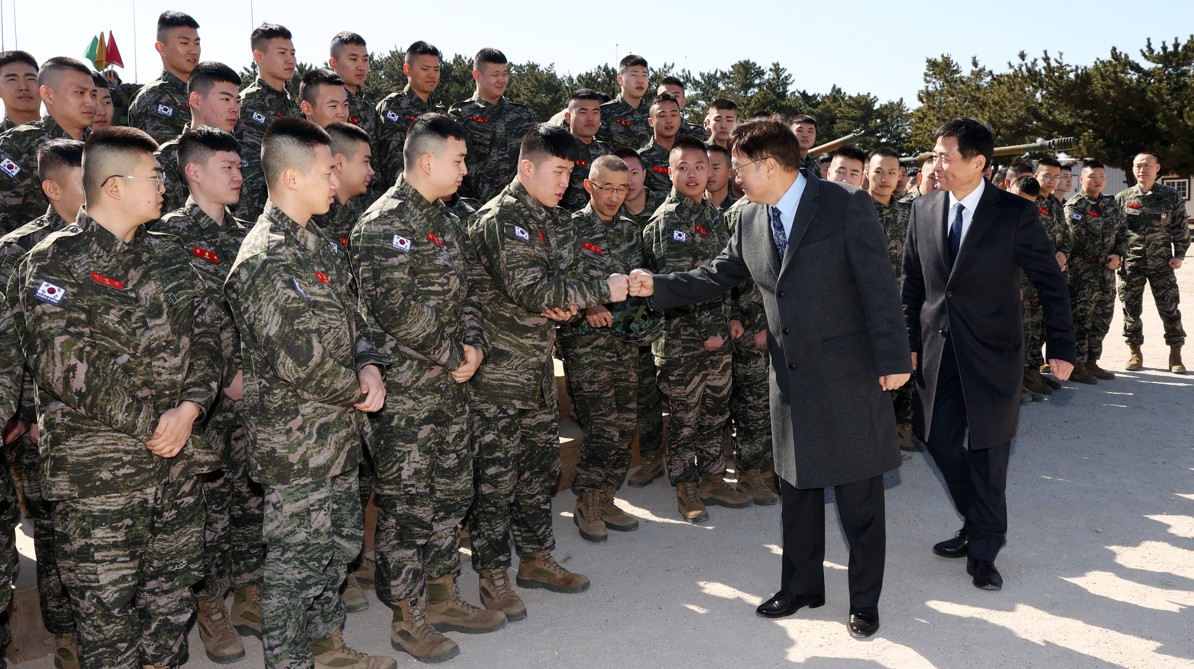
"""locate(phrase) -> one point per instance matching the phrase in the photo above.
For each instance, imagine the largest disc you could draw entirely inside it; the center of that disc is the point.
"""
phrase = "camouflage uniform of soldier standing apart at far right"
(1156, 232)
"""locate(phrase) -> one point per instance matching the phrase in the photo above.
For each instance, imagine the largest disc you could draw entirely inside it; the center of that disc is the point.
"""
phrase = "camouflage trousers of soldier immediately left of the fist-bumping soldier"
(424, 486)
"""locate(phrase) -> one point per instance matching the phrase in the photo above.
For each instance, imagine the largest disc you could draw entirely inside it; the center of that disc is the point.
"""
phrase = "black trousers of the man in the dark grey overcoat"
(860, 507)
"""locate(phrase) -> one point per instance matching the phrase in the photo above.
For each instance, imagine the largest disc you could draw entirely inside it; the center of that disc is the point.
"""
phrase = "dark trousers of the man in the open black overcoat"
(977, 480)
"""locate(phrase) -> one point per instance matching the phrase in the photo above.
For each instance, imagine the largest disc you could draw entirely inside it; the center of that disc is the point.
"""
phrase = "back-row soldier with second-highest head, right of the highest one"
(262, 103)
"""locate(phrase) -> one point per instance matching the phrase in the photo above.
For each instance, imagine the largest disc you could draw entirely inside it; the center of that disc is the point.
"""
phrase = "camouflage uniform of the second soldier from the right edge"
(1099, 231)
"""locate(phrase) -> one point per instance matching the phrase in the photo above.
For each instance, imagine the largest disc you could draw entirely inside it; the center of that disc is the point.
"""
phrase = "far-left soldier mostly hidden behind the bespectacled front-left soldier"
(60, 170)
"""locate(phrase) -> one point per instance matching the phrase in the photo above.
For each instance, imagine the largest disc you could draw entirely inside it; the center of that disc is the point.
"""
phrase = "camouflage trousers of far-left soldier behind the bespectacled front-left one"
(57, 615)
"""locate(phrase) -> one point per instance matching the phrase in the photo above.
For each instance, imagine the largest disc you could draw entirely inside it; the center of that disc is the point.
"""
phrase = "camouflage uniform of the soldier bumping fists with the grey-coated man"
(513, 396)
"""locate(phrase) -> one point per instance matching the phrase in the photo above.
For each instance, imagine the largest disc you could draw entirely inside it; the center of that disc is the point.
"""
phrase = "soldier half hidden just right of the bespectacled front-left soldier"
(233, 549)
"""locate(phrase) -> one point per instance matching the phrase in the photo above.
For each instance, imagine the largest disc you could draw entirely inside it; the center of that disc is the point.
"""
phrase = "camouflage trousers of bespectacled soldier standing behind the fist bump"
(605, 375)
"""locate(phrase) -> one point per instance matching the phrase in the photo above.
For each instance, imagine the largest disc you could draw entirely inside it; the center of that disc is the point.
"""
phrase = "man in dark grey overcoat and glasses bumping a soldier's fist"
(818, 255)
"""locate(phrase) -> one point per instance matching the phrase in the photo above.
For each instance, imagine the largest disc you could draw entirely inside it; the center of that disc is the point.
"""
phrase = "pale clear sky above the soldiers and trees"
(861, 47)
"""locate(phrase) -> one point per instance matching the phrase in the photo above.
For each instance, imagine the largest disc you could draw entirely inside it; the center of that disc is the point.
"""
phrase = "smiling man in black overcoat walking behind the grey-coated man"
(967, 247)
